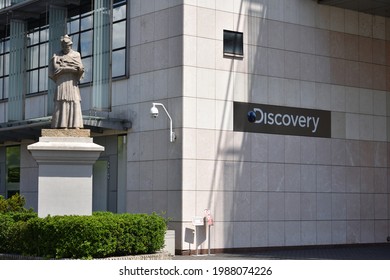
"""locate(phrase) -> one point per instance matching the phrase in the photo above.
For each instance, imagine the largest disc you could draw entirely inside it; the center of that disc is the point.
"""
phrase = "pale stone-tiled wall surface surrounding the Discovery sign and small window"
(263, 190)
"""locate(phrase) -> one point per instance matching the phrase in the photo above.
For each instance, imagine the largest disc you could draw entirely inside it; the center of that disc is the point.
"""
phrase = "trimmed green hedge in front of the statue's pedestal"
(101, 235)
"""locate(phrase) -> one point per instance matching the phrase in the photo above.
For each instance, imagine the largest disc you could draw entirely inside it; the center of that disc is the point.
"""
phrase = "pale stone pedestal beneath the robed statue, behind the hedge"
(65, 159)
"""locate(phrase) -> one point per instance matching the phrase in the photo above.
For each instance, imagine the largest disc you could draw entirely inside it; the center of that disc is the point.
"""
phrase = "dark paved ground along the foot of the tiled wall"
(356, 252)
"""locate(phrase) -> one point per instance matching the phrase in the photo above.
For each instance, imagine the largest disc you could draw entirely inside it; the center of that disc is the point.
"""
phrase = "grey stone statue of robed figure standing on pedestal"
(66, 70)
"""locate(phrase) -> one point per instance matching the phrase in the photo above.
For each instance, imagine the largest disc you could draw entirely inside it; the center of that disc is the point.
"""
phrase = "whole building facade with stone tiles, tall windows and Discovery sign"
(279, 107)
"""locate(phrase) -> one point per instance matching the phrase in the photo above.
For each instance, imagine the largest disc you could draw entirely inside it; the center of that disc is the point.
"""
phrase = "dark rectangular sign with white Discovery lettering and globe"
(260, 118)
